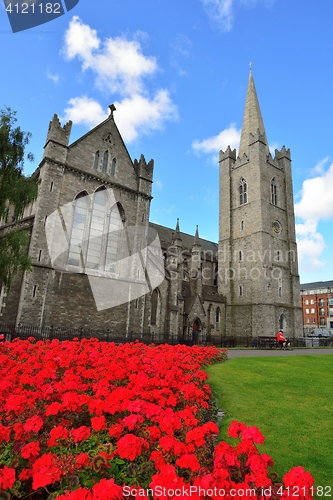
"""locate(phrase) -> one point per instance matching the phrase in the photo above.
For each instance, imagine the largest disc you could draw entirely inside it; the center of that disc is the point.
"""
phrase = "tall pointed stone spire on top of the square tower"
(252, 119)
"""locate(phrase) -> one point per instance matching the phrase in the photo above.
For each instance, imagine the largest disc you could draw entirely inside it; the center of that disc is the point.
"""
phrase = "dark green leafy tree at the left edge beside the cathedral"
(16, 193)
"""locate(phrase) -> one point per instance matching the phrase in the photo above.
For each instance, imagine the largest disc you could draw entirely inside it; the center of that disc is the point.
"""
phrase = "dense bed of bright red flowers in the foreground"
(95, 421)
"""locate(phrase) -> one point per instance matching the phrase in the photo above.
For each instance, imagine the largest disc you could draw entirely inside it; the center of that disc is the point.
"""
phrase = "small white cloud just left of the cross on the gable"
(84, 111)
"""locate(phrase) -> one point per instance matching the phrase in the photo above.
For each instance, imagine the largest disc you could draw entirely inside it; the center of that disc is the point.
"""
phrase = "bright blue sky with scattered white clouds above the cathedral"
(177, 71)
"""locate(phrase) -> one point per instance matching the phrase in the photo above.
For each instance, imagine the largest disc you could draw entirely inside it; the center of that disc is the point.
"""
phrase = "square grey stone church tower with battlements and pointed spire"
(258, 268)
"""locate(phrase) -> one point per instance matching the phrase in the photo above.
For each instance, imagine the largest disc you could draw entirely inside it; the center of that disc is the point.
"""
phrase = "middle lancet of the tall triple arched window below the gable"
(96, 230)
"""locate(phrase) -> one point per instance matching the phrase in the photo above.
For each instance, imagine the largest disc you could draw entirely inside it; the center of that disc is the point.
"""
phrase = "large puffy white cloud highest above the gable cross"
(117, 62)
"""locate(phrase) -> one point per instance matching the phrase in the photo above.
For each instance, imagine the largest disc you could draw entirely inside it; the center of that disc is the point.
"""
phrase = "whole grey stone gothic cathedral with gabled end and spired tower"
(247, 284)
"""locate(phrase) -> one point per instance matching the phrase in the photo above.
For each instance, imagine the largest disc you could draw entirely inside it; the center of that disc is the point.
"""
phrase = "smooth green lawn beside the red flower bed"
(290, 400)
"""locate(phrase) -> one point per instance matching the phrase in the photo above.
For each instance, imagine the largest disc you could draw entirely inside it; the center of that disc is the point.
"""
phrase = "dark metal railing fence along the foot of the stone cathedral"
(10, 332)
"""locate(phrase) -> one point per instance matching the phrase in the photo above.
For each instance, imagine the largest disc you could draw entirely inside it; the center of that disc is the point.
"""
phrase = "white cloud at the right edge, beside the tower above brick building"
(316, 204)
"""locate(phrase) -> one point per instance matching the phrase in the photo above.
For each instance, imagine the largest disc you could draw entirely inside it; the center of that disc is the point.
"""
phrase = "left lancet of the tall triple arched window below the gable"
(75, 254)
